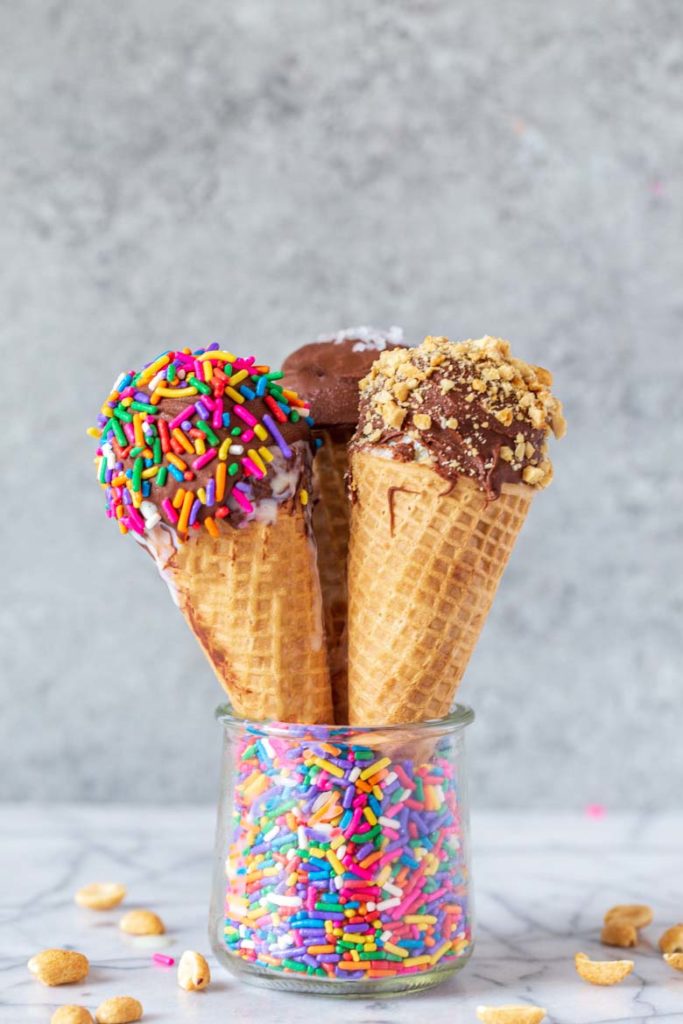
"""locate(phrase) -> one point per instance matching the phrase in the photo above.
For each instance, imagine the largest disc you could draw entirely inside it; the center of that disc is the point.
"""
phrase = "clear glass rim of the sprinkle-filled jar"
(459, 718)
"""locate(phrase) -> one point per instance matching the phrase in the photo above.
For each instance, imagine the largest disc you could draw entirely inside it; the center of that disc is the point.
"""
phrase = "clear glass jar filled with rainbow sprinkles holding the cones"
(343, 856)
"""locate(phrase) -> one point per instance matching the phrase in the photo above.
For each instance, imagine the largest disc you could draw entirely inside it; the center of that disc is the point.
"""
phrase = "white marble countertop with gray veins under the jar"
(542, 883)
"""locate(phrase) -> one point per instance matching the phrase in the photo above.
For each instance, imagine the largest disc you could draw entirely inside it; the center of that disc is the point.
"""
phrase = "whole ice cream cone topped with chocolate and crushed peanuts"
(451, 448)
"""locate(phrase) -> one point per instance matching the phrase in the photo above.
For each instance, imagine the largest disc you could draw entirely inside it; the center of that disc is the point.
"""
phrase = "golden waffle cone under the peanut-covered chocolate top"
(424, 566)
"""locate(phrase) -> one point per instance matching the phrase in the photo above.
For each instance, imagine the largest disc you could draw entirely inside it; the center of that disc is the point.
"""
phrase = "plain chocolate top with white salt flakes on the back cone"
(326, 373)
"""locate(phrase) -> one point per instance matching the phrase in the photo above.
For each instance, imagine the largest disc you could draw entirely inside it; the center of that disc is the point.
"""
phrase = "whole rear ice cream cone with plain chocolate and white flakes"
(326, 374)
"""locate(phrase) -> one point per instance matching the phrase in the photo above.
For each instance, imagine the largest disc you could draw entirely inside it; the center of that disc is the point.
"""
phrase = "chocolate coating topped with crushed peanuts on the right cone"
(466, 410)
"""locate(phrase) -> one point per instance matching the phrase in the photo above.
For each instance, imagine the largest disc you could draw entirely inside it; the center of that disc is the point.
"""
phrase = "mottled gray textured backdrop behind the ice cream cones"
(260, 173)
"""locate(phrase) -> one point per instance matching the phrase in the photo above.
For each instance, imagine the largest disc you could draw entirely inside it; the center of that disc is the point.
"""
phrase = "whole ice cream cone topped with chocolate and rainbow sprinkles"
(207, 460)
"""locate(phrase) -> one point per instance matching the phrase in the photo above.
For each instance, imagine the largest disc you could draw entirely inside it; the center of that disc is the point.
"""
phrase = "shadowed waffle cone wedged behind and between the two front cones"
(331, 526)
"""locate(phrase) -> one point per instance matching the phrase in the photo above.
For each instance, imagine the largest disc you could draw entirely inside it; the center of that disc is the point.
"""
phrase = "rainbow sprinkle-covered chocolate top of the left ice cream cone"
(161, 463)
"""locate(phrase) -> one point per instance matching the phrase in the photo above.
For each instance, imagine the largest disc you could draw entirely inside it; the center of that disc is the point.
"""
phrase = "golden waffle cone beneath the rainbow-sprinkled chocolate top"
(252, 599)
